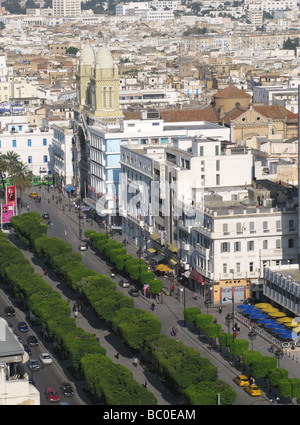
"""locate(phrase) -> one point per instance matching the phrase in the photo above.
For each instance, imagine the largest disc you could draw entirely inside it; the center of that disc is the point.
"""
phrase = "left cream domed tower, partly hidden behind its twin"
(85, 70)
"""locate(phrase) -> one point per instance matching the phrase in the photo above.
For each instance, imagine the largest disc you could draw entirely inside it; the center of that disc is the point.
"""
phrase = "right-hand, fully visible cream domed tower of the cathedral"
(105, 86)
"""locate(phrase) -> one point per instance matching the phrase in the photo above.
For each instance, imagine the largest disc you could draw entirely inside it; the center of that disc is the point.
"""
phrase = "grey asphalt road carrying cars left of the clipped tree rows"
(49, 375)
